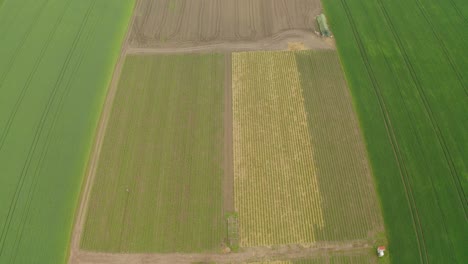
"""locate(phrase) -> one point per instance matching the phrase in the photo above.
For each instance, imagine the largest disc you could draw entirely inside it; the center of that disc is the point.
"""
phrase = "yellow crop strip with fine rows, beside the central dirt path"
(276, 190)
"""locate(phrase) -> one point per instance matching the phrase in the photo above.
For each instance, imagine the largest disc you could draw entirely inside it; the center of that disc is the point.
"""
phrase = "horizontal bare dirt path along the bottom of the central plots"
(290, 252)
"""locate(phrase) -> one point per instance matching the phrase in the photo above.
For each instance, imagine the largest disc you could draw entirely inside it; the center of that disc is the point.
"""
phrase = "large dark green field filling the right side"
(406, 64)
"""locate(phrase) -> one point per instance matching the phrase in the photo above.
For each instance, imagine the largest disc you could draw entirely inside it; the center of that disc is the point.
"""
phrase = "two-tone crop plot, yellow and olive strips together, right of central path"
(300, 167)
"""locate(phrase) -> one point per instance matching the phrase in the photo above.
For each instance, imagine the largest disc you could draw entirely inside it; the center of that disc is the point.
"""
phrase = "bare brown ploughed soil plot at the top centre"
(165, 23)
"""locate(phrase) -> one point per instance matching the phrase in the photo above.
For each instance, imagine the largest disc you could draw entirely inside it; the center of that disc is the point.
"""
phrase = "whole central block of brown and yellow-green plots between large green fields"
(161, 177)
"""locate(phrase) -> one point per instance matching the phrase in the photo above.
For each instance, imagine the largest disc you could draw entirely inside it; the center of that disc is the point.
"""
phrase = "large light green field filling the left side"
(56, 60)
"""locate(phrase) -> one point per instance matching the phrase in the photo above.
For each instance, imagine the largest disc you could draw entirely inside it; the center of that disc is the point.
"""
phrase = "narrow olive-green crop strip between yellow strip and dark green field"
(351, 207)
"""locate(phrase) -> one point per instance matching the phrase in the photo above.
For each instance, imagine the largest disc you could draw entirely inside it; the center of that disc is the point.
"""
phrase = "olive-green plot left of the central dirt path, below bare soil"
(164, 144)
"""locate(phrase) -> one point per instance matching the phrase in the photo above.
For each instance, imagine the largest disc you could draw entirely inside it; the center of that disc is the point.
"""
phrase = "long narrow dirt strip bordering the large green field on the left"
(80, 215)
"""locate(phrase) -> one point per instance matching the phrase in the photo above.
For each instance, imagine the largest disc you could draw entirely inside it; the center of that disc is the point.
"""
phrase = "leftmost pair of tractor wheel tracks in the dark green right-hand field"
(390, 131)
